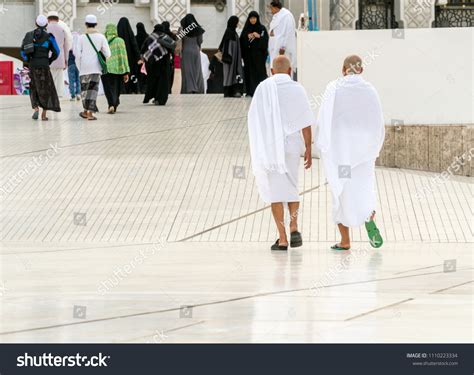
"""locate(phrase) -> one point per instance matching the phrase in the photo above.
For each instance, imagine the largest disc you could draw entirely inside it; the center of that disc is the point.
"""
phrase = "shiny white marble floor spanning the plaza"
(145, 226)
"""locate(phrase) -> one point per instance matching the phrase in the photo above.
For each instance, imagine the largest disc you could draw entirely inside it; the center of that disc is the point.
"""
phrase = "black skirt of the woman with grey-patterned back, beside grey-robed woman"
(158, 77)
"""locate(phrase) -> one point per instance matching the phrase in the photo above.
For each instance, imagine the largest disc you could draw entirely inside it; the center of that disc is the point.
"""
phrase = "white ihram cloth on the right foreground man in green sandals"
(351, 134)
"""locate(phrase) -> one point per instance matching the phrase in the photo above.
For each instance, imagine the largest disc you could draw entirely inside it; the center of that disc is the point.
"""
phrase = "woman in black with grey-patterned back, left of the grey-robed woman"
(156, 52)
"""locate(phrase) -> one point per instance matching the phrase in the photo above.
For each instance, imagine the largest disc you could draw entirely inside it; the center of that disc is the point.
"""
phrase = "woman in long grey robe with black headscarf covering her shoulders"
(192, 81)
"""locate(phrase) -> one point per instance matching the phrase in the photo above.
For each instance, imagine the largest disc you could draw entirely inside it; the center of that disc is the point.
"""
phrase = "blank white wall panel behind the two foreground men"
(424, 76)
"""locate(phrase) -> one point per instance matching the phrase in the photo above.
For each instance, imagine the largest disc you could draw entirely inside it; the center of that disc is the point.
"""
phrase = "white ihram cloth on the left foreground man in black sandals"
(279, 110)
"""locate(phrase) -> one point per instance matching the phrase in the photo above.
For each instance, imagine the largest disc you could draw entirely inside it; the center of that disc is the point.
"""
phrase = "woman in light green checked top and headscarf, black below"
(117, 68)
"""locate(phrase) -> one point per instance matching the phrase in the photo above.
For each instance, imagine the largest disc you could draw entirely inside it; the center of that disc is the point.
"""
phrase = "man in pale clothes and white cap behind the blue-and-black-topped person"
(64, 43)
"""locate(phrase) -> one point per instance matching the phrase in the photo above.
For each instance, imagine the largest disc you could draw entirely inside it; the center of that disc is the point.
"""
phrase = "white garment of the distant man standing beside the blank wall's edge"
(284, 36)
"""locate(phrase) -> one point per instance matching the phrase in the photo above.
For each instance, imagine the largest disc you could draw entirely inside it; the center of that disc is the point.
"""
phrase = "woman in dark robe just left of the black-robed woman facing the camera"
(232, 60)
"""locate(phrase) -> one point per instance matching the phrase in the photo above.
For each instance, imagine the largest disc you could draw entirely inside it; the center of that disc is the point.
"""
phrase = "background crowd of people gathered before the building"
(145, 63)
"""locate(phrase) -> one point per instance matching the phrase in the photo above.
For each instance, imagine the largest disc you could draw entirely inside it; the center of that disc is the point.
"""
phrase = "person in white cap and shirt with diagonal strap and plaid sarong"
(91, 54)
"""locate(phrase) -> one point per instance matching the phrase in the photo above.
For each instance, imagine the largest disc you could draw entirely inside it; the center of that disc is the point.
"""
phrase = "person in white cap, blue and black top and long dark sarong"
(39, 49)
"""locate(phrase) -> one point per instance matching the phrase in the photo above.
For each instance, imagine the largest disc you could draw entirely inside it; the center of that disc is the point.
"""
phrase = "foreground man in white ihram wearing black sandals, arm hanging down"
(279, 113)
